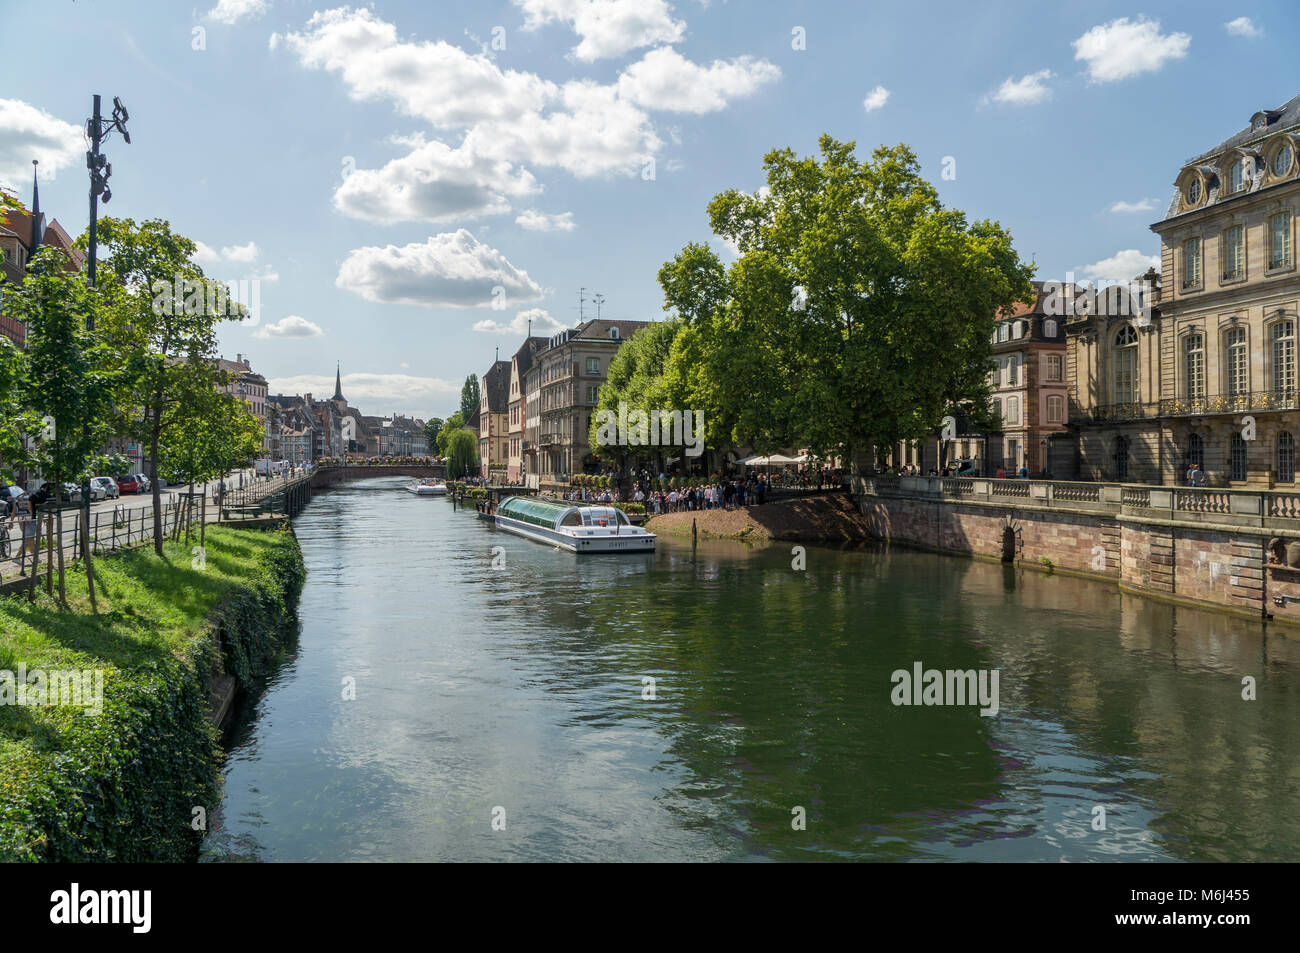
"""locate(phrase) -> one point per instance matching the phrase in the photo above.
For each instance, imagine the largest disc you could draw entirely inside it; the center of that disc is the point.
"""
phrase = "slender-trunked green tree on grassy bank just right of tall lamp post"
(163, 314)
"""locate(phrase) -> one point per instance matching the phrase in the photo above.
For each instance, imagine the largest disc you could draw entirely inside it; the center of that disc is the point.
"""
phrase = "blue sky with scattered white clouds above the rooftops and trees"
(410, 183)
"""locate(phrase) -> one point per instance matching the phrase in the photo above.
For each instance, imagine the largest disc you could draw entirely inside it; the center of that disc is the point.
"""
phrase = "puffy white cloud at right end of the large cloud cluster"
(665, 80)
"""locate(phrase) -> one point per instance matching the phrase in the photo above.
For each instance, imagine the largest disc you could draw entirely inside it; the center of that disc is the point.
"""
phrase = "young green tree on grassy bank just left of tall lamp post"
(71, 383)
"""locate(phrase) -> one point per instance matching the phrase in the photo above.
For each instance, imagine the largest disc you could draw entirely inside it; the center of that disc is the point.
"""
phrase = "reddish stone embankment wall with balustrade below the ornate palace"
(1204, 547)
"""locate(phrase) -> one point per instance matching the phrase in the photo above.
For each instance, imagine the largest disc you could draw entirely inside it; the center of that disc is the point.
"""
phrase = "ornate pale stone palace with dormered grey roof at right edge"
(1208, 375)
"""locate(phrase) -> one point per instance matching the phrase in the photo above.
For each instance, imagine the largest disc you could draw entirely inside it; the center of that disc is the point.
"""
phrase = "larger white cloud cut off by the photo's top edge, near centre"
(608, 28)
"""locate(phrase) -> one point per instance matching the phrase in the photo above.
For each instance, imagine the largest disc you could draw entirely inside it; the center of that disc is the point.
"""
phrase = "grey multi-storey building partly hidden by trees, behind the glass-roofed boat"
(571, 370)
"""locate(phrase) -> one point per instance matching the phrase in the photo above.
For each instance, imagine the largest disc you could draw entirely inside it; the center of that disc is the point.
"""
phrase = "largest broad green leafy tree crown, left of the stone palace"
(859, 314)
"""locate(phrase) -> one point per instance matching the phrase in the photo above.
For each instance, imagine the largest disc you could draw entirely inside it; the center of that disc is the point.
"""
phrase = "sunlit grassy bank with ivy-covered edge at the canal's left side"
(123, 785)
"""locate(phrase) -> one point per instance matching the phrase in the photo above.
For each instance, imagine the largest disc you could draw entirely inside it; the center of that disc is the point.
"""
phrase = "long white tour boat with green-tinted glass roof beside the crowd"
(577, 527)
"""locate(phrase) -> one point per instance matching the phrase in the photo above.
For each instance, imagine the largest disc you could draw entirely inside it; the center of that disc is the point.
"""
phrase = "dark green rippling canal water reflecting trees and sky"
(502, 708)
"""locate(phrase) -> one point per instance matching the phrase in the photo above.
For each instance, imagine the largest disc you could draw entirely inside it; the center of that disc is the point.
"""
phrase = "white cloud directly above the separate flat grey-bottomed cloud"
(434, 184)
